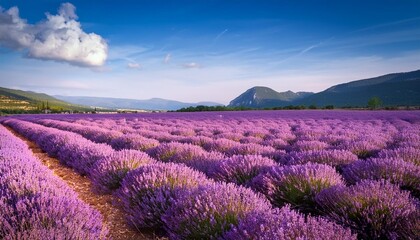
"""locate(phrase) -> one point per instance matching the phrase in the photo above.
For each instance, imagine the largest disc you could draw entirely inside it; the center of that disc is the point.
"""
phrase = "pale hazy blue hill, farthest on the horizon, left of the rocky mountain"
(122, 103)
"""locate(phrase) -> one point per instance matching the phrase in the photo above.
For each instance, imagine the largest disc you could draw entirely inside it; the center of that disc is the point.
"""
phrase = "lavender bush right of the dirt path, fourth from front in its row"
(108, 173)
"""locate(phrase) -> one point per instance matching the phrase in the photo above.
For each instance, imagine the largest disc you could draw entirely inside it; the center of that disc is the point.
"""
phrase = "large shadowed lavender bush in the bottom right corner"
(374, 209)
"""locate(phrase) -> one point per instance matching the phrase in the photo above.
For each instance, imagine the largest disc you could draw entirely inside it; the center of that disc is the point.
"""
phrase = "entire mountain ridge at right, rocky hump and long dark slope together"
(396, 89)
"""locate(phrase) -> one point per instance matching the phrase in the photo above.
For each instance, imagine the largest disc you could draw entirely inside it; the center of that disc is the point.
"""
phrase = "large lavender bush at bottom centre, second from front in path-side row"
(211, 210)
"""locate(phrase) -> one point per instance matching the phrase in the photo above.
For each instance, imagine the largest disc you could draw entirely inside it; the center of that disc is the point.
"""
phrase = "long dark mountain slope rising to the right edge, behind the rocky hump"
(396, 89)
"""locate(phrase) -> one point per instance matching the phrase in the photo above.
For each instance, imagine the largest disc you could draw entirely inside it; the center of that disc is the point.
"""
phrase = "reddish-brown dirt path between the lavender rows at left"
(113, 217)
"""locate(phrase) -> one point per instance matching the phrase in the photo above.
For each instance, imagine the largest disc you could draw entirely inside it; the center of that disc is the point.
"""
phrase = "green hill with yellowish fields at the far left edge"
(18, 100)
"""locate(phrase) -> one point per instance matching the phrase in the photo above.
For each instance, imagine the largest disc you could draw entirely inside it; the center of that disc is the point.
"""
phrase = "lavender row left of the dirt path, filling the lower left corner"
(35, 204)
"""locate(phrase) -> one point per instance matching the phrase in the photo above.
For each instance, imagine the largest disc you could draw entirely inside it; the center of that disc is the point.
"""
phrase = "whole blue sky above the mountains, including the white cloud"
(202, 50)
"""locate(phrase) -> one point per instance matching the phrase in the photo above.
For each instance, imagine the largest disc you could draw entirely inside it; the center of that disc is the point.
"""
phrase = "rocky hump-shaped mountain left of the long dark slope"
(262, 97)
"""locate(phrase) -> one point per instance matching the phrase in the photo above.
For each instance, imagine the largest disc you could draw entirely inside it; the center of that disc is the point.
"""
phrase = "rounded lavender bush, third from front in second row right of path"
(240, 169)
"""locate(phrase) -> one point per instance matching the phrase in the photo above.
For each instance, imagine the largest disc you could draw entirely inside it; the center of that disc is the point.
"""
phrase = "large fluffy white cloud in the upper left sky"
(59, 38)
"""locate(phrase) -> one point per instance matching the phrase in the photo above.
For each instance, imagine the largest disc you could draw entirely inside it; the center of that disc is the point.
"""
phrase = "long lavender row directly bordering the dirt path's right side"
(171, 196)
